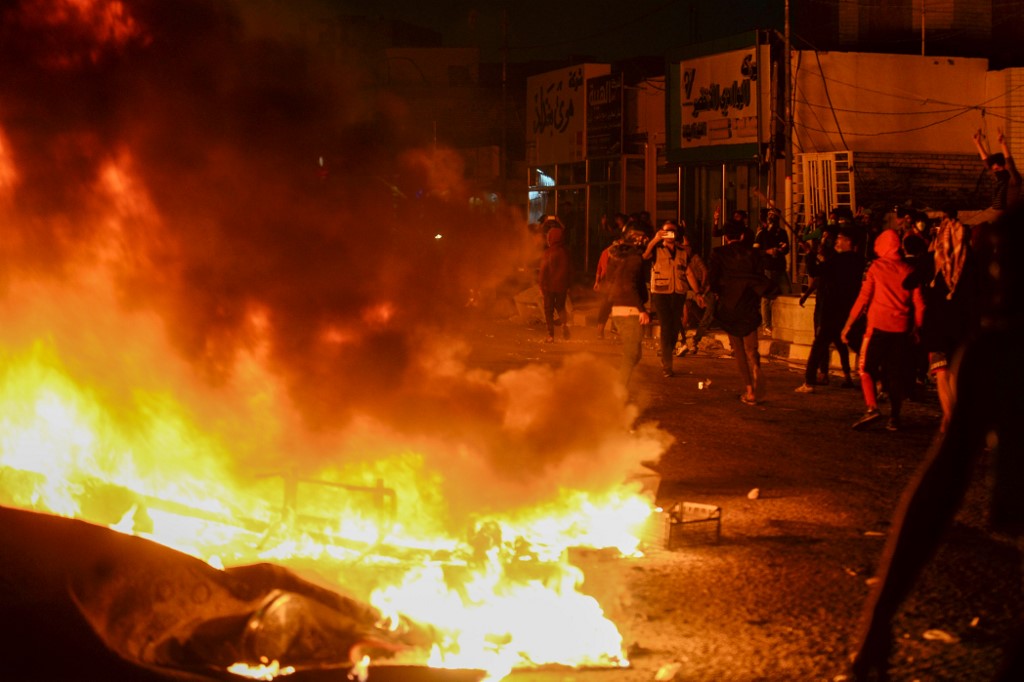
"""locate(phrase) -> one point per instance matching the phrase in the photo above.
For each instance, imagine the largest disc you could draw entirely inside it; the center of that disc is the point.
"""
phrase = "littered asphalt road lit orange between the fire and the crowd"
(780, 595)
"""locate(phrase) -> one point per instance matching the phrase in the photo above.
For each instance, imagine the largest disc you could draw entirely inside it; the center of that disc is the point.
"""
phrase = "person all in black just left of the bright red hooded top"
(836, 282)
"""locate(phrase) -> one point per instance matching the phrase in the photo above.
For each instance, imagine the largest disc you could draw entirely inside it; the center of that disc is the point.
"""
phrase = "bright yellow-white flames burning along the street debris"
(504, 596)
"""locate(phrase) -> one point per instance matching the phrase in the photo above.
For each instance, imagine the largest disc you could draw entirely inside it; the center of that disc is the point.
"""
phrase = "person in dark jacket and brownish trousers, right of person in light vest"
(737, 278)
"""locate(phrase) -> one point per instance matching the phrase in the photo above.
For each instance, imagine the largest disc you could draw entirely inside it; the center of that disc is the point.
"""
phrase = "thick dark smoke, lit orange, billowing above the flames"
(285, 194)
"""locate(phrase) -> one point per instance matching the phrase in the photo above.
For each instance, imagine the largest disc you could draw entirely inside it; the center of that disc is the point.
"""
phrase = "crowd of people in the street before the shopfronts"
(894, 290)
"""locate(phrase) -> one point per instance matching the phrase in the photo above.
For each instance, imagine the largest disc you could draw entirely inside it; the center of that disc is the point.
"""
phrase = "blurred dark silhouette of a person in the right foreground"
(984, 430)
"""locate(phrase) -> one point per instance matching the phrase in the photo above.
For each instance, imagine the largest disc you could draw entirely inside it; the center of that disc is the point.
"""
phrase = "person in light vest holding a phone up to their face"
(669, 288)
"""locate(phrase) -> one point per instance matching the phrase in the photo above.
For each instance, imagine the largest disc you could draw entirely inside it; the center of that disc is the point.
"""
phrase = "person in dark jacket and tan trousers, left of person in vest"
(626, 280)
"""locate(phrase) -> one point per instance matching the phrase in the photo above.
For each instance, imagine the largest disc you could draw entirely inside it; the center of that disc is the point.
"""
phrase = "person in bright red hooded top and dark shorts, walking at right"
(895, 315)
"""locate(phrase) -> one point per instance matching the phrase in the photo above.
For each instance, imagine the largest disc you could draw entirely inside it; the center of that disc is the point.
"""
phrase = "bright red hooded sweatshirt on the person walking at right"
(891, 308)
